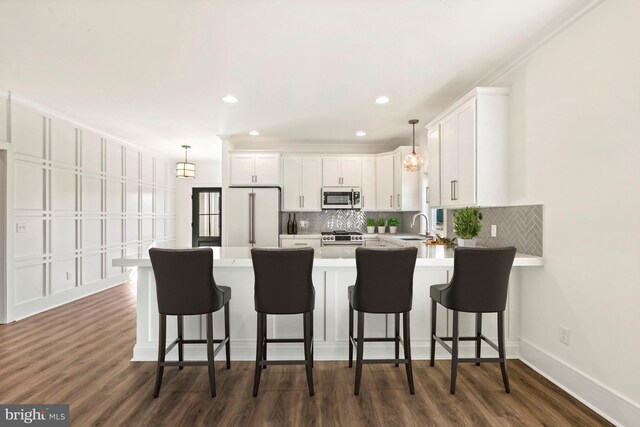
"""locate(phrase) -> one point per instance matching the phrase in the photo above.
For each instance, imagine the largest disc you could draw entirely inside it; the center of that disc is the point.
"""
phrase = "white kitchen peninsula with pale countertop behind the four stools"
(334, 271)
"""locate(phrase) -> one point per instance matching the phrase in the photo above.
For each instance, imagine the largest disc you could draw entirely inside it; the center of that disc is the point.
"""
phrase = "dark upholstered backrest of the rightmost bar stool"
(480, 279)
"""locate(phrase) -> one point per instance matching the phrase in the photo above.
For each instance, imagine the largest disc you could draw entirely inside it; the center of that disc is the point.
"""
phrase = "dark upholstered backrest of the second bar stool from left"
(283, 283)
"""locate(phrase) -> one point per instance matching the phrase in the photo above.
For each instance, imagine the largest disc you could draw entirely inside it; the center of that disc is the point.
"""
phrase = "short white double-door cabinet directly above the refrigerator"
(257, 169)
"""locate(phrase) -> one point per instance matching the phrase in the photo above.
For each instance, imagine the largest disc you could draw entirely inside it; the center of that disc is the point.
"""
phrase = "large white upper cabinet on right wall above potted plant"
(473, 150)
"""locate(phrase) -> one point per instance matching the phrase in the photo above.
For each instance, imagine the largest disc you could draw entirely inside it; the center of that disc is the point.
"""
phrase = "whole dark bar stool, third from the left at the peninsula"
(384, 284)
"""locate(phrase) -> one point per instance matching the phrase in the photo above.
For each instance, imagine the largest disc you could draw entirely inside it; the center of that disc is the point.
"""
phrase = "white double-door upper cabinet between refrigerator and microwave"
(301, 183)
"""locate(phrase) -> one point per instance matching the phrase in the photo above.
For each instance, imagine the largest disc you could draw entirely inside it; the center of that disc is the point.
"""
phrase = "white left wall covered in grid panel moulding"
(76, 199)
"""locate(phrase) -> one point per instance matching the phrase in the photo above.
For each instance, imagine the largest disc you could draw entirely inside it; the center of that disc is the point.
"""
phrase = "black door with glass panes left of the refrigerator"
(206, 216)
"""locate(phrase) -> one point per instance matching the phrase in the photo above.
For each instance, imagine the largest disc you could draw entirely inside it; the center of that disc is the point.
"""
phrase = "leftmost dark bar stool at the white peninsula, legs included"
(185, 287)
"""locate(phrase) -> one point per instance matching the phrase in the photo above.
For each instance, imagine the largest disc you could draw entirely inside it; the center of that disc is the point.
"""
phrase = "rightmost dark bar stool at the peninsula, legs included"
(479, 285)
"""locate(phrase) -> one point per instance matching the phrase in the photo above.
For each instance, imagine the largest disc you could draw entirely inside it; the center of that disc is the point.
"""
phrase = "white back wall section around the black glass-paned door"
(208, 174)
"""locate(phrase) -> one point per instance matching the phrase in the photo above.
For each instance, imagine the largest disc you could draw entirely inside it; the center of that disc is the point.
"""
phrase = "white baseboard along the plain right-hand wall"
(608, 403)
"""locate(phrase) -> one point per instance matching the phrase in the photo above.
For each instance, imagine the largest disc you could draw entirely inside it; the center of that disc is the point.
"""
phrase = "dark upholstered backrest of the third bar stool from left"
(384, 282)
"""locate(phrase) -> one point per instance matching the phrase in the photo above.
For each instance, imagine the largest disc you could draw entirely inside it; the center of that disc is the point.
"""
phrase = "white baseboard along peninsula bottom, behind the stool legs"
(331, 351)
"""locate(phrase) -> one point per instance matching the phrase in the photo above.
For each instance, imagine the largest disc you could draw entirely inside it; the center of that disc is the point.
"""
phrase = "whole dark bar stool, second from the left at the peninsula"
(283, 285)
